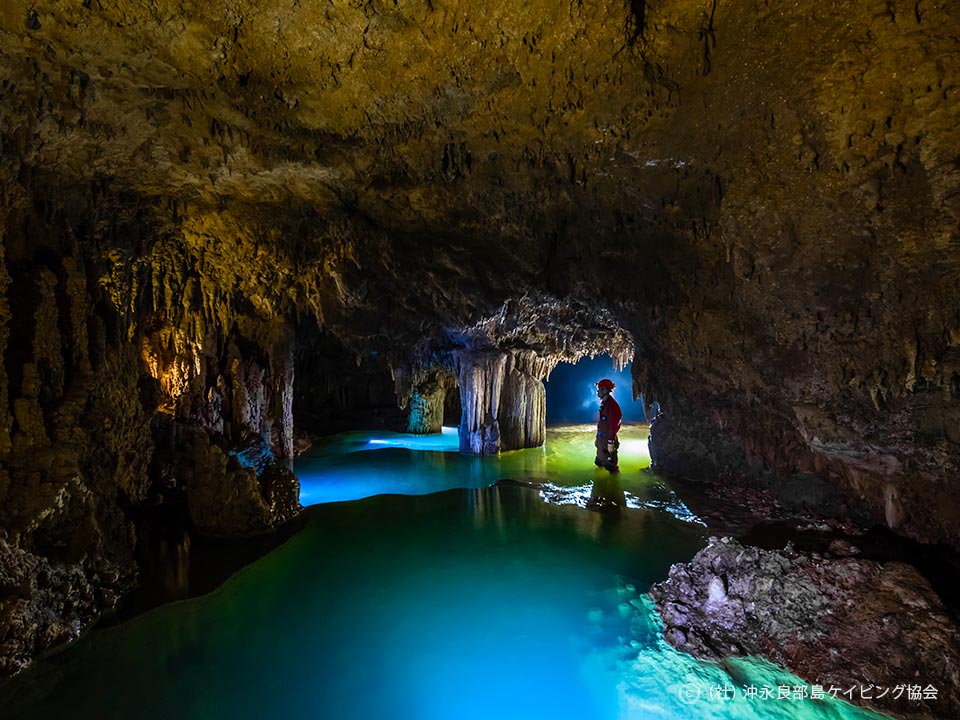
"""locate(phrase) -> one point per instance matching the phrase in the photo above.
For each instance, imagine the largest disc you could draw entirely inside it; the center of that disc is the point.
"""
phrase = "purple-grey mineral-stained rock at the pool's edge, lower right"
(843, 622)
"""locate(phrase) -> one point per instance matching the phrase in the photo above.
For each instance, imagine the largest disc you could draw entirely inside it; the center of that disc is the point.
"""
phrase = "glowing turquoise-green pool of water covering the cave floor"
(508, 601)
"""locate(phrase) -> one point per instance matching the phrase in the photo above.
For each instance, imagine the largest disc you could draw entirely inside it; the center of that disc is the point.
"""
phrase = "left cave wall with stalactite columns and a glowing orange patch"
(119, 392)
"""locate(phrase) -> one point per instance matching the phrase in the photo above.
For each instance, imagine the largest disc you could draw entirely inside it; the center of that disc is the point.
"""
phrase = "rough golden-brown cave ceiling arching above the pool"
(395, 168)
